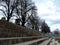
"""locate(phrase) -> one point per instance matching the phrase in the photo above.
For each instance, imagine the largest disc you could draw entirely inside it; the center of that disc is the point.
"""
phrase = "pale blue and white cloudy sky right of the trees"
(49, 10)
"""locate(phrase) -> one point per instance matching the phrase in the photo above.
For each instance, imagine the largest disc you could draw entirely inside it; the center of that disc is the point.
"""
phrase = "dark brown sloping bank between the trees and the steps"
(12, 30)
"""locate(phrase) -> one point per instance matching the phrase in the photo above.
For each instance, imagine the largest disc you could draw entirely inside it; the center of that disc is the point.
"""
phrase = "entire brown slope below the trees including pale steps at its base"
(11, 34)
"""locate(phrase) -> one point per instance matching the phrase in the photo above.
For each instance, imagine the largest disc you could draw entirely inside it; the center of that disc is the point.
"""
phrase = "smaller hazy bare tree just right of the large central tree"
(33, 19)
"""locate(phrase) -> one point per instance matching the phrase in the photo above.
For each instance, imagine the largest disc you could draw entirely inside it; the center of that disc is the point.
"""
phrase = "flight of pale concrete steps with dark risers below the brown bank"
(35, 40)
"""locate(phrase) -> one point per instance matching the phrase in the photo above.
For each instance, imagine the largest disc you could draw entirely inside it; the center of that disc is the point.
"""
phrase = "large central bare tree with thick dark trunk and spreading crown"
(24, 9)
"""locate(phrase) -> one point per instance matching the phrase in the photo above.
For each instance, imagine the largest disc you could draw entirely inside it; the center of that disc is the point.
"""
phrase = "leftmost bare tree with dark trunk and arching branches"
(10, 6)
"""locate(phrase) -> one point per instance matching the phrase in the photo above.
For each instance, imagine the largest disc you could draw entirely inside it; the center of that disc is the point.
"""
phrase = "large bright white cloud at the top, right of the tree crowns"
(47, 7)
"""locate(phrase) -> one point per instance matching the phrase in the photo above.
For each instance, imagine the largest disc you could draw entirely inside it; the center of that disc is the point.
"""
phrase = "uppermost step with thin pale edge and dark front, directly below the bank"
(14, 40)
